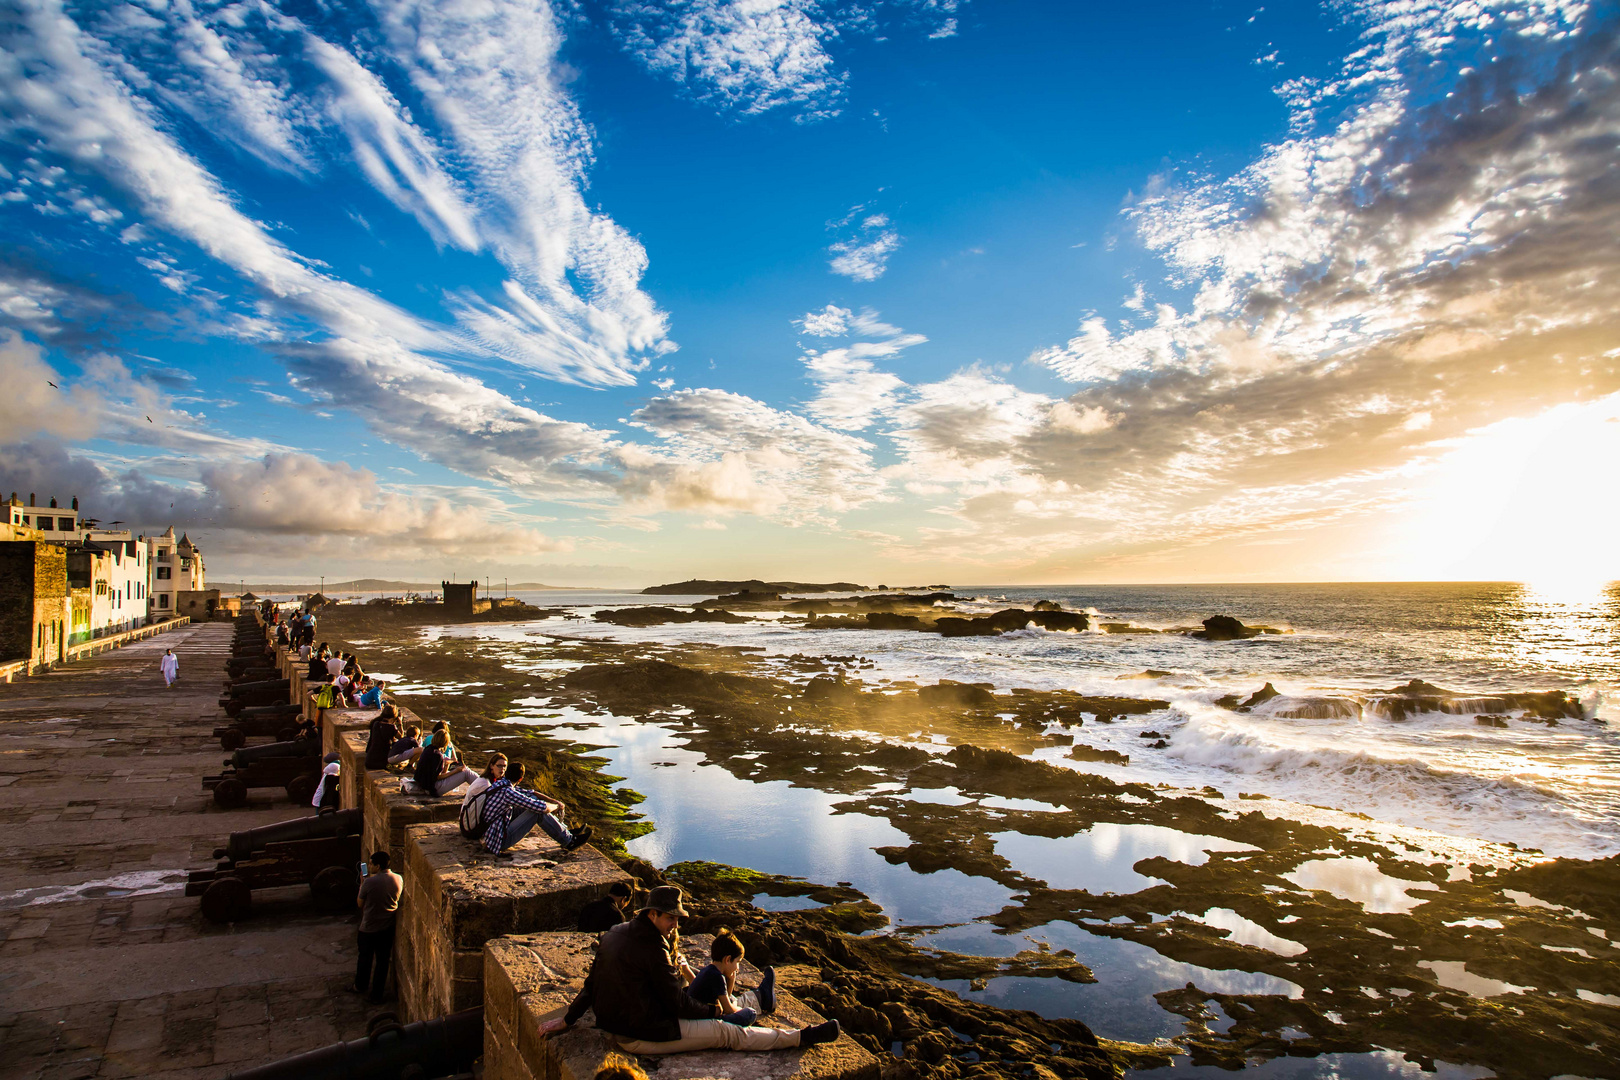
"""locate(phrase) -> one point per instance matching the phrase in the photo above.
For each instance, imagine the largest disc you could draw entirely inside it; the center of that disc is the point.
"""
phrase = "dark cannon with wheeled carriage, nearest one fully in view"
(320, 851)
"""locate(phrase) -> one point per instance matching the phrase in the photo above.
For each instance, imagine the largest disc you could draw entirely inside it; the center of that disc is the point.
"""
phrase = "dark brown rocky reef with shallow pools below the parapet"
(1480, 956)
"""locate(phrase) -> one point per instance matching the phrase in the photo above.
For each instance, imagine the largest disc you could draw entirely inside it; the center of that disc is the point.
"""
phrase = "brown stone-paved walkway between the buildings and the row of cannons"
(106, 969)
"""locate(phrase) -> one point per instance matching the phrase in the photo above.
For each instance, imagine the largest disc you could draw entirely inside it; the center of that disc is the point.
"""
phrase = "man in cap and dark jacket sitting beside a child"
(639, 997)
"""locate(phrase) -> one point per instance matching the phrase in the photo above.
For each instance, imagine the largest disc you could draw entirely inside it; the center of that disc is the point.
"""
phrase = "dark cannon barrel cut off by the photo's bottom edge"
(441, 1047)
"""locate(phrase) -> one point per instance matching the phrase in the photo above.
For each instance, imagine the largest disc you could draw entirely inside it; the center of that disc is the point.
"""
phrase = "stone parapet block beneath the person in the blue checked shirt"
(458, 898)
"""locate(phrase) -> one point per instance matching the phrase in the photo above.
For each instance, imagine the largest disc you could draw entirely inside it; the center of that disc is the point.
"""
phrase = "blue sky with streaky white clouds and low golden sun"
(898, 291)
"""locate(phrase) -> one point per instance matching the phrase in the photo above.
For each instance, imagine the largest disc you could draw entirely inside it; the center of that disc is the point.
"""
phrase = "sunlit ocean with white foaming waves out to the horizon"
(1553, 789)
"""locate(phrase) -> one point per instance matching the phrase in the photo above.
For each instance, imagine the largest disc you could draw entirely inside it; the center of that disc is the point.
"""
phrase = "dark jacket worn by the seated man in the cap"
(634, 987)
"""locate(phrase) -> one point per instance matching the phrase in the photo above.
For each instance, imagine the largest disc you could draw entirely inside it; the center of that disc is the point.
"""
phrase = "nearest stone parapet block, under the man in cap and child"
(532, 979)
